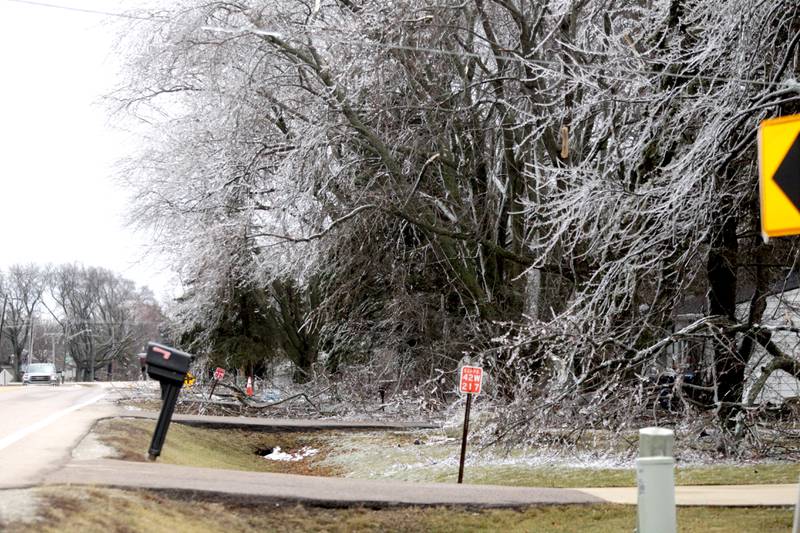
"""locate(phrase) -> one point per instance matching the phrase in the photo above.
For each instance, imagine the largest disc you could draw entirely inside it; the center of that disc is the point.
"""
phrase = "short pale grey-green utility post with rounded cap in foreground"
(656, 480)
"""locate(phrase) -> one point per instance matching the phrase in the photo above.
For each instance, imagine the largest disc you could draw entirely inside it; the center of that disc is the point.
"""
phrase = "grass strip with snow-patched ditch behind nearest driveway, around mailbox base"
(408, 455)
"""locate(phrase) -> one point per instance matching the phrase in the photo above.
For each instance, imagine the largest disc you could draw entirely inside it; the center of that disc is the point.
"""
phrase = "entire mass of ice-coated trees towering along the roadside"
(569, 177)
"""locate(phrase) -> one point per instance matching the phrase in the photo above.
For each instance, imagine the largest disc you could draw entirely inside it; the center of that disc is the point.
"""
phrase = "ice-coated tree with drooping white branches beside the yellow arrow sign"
(651, 201)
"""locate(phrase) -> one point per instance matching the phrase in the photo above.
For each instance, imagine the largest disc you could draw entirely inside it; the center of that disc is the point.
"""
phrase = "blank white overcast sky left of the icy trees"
(59, 202)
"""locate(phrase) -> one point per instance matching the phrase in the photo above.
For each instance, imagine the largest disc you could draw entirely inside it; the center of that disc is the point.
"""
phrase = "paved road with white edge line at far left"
(40, 425)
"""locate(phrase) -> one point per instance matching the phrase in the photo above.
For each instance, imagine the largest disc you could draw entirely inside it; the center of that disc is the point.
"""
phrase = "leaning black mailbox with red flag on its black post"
(169, 366)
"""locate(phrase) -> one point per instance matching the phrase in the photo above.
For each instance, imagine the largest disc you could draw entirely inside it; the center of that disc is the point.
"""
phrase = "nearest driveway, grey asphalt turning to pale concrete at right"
(347, 491)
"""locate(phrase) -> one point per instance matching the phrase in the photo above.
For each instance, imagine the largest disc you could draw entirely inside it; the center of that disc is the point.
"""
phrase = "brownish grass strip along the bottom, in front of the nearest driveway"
(67, 509)
